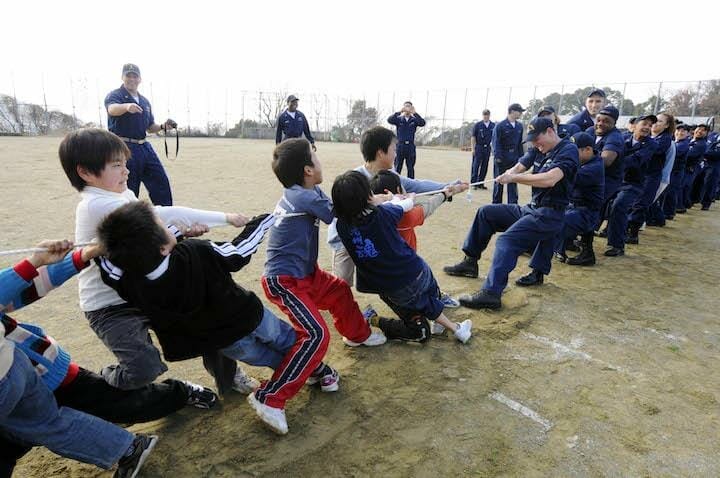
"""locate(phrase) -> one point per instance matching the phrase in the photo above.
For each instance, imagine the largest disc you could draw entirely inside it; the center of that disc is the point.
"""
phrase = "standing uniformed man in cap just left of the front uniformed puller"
(507, 148)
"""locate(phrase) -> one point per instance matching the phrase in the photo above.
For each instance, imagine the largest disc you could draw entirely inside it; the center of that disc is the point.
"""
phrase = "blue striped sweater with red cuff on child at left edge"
(20, 286)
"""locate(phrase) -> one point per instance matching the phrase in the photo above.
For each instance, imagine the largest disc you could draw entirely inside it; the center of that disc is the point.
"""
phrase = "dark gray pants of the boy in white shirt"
(124, 330)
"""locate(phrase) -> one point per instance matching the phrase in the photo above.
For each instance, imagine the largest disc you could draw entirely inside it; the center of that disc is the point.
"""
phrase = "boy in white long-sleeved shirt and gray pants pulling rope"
(95, 163)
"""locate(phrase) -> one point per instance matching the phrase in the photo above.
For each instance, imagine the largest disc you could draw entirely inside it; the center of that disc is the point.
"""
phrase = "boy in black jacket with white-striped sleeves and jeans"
(186, 290)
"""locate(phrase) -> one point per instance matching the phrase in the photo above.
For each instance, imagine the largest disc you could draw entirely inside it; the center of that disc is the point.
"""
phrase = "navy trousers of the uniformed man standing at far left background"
(145, 167)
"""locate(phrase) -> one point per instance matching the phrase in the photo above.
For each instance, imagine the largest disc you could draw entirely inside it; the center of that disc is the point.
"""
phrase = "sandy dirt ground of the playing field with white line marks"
(603, 371)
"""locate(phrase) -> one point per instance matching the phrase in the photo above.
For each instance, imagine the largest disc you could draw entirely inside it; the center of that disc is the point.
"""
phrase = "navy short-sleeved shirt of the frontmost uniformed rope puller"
(563, 156)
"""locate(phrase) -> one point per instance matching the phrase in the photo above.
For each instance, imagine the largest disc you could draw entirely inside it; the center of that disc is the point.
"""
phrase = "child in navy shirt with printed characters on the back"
(386, 264)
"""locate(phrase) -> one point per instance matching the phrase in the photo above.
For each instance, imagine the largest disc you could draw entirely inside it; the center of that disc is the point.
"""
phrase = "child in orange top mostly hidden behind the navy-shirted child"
(389, 181)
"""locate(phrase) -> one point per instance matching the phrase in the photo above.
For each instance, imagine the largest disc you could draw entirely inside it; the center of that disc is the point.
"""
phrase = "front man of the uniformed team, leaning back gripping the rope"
(533, 226)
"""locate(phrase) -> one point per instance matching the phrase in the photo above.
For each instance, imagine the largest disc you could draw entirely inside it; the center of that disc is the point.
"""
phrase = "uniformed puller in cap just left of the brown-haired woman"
(639, 148)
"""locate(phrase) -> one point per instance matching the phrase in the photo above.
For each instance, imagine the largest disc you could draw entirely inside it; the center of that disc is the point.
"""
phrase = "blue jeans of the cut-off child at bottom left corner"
(30, 414)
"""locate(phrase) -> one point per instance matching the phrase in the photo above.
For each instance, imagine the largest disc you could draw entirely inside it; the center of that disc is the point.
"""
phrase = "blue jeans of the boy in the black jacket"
(266, 345)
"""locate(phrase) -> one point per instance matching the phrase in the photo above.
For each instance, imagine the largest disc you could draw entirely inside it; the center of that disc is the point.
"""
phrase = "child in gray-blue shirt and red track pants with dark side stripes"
(294, 282)
